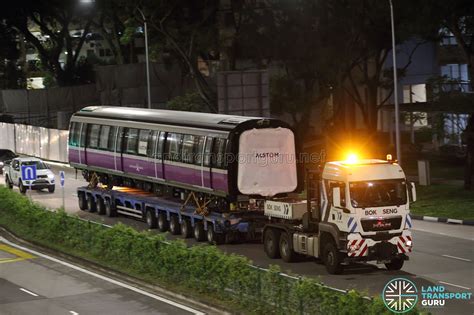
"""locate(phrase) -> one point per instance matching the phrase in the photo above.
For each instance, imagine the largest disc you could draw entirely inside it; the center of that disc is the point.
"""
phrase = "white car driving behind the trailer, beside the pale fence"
(44, 176)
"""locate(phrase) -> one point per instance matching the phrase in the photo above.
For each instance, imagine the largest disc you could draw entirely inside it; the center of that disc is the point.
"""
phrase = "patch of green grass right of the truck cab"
(447, 201)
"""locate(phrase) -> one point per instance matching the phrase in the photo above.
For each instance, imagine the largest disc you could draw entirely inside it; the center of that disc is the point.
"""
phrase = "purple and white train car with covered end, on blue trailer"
(219, 155)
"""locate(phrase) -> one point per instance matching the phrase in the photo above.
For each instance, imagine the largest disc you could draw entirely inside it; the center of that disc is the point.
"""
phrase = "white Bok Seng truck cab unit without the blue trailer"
(360, 213)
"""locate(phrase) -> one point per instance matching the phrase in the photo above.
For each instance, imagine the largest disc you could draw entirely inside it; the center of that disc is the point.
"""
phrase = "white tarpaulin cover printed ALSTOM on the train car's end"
(267, 162)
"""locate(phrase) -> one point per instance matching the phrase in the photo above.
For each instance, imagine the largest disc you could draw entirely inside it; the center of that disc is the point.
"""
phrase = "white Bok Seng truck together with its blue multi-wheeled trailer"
(353, 211)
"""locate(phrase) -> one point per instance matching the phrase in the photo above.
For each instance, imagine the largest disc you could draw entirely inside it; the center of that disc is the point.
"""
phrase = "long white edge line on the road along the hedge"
(99, 276)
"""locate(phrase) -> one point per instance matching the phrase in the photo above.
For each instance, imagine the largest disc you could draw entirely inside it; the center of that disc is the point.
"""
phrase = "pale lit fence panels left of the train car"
(45, 143)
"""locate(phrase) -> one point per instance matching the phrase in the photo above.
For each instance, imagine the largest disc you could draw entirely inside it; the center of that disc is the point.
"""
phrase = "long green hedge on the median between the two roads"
(199, 270)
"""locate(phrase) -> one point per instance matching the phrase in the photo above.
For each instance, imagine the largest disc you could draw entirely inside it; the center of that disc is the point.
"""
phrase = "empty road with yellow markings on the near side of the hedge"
(34, 283)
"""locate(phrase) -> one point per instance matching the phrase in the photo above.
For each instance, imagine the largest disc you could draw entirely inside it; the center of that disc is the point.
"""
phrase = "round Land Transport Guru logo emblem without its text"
(400, 295)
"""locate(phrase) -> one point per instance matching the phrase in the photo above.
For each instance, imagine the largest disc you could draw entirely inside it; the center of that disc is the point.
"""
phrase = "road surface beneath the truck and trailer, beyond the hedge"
(443, 254)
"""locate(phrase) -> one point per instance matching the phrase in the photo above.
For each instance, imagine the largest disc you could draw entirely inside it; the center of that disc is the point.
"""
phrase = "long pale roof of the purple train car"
(168, 117)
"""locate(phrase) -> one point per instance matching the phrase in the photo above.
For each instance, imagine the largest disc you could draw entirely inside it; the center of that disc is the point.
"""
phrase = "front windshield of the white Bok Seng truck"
(378, 193)
